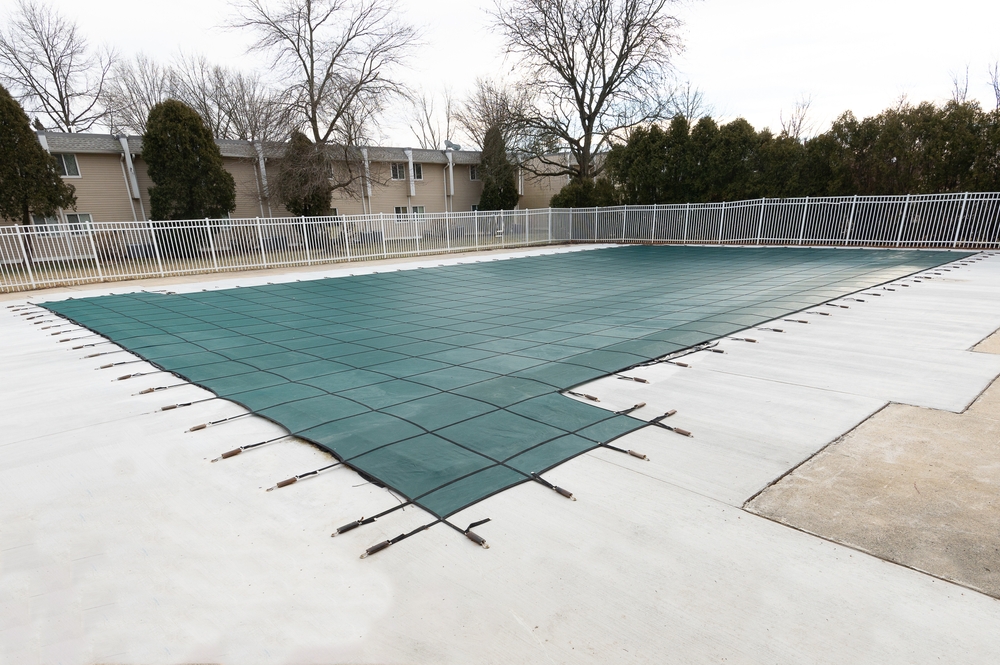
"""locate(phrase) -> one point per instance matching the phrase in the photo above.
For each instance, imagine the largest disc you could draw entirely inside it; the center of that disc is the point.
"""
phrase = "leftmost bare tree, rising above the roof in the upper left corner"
(48, 64)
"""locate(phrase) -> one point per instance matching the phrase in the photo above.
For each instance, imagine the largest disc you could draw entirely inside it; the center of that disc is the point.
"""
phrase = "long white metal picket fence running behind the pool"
(62, 254)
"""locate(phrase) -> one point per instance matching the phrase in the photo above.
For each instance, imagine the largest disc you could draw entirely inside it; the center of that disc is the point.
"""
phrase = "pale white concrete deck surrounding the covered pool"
(121, 542)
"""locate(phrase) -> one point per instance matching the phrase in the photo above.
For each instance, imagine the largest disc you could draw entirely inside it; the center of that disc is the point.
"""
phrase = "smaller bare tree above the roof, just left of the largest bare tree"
(496, 104)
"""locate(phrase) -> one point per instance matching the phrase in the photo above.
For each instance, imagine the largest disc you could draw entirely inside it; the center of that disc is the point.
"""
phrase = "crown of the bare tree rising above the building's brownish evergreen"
(338, 56)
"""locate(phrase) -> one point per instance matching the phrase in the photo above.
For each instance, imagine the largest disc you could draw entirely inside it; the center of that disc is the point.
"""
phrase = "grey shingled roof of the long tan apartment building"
(109, 143)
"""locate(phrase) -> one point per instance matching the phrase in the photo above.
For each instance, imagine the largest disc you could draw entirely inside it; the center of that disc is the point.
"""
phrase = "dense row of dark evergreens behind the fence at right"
(907, 150)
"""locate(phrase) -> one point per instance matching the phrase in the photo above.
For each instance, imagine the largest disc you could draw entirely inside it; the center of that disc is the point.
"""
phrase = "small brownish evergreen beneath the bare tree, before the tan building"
(303, 183)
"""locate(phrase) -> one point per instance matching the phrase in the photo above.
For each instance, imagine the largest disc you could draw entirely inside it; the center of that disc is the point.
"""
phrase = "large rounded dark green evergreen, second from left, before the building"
(185, 165)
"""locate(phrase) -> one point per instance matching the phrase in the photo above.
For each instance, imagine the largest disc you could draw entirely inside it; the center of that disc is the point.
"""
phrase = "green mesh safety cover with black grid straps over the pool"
(443, 383)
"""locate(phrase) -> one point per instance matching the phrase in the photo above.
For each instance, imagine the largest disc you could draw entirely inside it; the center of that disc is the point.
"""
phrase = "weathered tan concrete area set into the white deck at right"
(915, 486)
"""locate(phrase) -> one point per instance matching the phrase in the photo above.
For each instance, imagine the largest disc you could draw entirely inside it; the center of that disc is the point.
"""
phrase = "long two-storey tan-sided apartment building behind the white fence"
(112, 183)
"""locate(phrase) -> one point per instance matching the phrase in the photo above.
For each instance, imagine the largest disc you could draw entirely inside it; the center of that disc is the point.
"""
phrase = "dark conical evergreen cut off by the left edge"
(29, 181)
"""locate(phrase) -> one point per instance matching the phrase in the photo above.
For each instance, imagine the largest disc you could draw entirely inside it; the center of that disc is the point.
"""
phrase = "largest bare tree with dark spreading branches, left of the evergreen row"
(597, 67)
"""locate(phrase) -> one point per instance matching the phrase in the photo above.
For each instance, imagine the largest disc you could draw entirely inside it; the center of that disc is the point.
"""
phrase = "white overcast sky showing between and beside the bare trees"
(753, 59)
